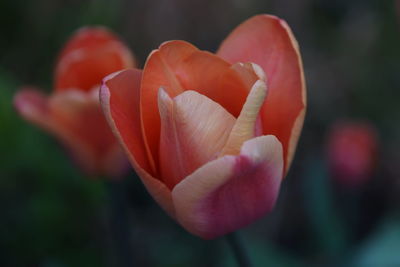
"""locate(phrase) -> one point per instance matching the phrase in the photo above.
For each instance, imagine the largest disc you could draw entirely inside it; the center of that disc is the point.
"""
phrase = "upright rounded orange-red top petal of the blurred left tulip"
(90, 54)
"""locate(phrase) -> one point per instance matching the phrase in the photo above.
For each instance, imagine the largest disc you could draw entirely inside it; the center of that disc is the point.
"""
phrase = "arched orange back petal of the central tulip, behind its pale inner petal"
(178, 66)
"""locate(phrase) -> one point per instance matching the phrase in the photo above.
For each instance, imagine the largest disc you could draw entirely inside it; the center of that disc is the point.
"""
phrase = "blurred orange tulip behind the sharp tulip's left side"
(72, 112)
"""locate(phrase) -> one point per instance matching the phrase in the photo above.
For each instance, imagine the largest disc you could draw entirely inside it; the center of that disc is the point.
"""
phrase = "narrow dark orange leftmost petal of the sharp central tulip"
(120, 102)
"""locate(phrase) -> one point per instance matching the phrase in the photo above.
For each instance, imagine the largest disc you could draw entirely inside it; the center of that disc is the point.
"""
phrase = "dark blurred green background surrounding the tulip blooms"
(51, 215)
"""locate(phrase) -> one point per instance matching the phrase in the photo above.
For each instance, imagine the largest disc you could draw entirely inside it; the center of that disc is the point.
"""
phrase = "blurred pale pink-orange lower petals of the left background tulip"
(75, 118)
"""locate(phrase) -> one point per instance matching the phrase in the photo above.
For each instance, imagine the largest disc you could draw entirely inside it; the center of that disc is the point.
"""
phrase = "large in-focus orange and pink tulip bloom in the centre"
(212, 135)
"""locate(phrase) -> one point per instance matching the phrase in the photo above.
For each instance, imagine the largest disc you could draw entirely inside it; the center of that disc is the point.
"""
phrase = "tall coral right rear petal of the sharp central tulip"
(268, 41)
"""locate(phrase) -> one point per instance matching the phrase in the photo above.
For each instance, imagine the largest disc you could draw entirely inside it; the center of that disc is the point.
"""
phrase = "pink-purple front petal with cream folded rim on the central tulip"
(232, 191)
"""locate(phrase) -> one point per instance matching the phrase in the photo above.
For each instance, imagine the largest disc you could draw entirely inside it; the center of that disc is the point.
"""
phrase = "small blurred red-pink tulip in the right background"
(352, 151)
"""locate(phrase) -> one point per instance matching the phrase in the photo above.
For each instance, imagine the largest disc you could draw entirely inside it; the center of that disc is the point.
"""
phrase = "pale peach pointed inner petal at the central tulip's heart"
(194, 129)
